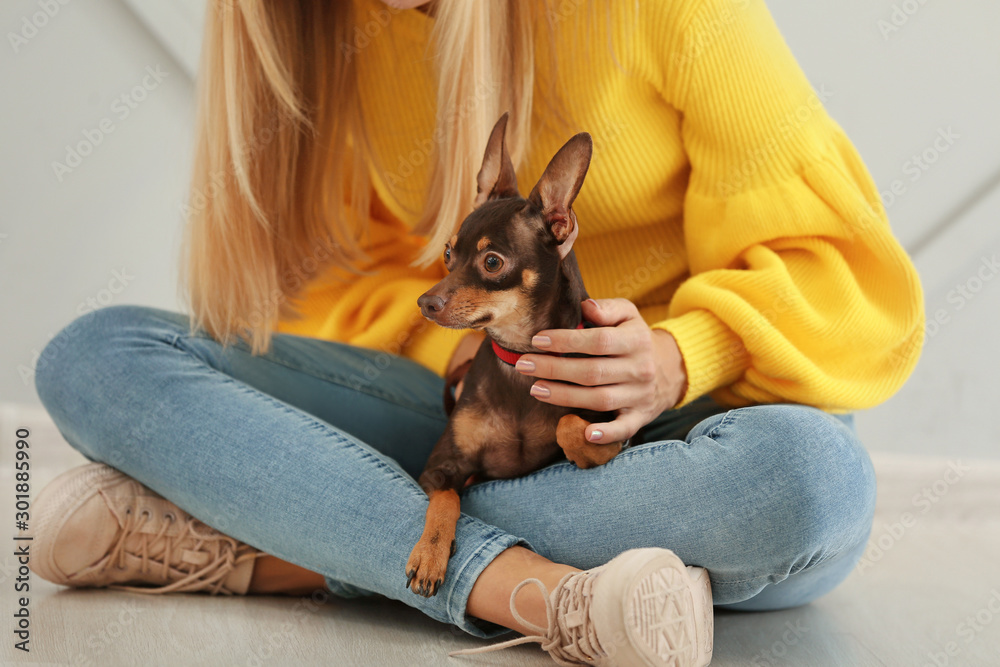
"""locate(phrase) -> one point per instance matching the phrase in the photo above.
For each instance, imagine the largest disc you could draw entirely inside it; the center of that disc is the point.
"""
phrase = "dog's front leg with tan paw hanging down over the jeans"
(443, 477)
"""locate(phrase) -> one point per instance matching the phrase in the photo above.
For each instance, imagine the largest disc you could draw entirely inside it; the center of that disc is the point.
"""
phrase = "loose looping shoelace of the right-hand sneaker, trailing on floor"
(569, 637)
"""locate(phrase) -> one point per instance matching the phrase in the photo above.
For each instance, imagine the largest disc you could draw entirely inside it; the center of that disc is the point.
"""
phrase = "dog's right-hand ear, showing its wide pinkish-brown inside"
(557, 188)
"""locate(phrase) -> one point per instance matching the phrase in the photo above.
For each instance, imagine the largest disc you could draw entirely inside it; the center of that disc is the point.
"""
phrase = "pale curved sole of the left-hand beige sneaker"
(67, 492)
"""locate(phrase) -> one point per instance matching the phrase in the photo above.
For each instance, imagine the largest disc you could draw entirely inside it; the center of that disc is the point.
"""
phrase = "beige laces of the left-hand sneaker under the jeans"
(216, 564)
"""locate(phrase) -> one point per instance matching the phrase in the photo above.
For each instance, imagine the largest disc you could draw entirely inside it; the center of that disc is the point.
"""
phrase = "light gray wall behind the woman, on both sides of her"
(900, 72)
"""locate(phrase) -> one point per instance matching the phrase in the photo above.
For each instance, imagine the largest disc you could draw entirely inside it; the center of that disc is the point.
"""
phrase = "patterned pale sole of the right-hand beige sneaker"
(666, 609)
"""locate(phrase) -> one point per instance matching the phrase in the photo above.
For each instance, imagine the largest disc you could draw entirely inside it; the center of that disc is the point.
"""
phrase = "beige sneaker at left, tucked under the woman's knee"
(95, 526)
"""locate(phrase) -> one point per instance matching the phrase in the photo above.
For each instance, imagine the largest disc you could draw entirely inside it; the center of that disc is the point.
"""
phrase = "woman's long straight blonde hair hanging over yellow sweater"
(273, 201)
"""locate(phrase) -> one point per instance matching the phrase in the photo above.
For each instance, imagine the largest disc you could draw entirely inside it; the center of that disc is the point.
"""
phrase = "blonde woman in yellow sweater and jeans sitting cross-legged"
(750, 296)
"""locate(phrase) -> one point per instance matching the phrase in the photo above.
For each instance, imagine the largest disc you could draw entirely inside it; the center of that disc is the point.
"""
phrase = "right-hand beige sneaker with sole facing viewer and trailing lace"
(644, 607)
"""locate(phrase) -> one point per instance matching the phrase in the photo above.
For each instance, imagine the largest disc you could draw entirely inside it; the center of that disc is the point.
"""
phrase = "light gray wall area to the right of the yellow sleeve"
(901, 72)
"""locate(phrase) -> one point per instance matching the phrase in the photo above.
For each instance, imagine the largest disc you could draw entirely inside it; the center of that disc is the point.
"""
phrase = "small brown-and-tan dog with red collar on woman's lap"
(512, 273)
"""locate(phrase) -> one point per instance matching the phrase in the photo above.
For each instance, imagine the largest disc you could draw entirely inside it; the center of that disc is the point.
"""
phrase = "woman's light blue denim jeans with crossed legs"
(310, 453)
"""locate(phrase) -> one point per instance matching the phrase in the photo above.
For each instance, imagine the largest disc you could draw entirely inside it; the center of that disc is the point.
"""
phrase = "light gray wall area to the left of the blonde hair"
(69, 232)
